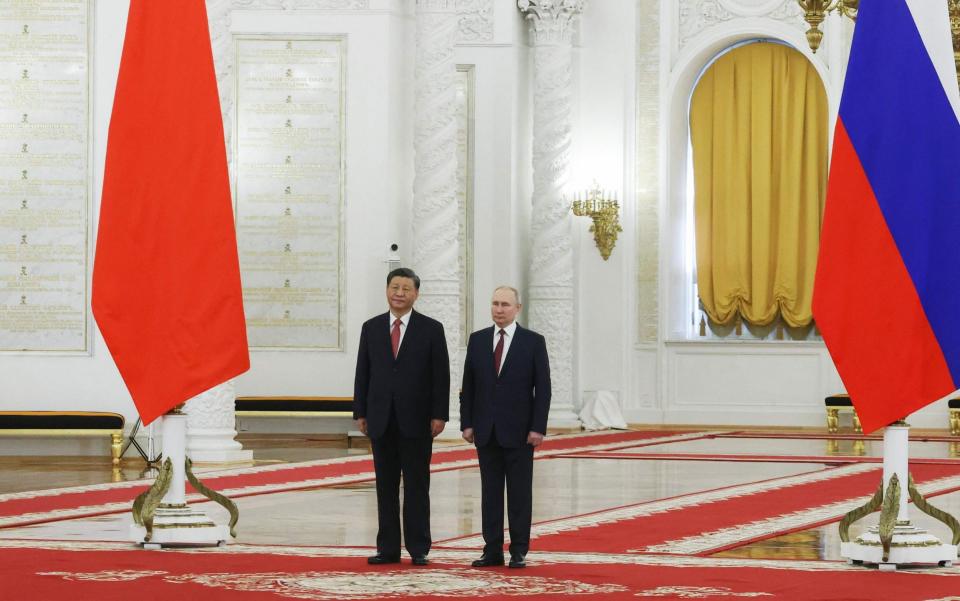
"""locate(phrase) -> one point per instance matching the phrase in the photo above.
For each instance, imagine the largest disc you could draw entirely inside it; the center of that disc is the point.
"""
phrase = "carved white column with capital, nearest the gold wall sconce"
(550, 296)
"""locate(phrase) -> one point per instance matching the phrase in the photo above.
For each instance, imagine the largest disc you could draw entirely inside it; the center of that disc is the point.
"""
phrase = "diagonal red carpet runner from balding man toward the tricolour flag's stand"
(707, 522)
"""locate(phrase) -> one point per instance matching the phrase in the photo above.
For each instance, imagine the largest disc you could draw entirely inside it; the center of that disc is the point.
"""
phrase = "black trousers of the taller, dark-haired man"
(393, 455)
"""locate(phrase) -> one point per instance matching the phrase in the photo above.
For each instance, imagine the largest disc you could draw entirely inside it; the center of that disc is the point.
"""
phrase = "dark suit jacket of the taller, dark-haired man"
(417, 382)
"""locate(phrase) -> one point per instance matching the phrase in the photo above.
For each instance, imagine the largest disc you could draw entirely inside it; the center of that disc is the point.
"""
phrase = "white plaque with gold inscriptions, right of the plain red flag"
(289, 190)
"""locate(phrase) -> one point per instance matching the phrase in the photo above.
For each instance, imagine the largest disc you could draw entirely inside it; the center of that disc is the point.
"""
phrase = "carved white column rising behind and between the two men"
(436, 244)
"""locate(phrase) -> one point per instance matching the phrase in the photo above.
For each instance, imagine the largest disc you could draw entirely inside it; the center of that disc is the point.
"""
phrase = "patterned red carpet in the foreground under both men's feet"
(255, 573)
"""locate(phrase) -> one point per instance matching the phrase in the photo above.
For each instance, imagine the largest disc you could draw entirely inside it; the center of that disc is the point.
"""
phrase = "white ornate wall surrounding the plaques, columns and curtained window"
(634, 63)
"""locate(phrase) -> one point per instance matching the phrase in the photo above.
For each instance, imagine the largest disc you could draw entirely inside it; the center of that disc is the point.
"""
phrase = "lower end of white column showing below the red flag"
(211, 427)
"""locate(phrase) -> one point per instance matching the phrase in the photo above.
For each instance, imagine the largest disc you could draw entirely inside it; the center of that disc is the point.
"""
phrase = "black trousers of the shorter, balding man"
(513, 467)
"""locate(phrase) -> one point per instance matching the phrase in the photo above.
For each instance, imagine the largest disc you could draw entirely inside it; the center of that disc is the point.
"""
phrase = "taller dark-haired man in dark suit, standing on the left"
(401, 400)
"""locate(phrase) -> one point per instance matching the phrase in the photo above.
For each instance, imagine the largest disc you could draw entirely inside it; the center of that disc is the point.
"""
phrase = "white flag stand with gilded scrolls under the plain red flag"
(161, 515)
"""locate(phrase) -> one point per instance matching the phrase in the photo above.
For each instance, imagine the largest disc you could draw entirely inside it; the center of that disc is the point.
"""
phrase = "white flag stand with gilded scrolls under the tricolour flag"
(894, 542)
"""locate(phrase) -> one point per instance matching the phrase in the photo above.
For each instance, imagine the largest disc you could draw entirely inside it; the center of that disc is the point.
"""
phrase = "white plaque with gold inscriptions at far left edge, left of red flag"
(45, 179)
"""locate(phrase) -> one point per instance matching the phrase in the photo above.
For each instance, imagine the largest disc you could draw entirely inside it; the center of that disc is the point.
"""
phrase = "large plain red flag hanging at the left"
(166, 279)
